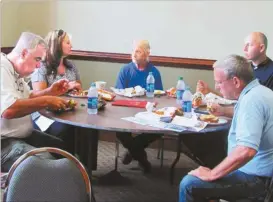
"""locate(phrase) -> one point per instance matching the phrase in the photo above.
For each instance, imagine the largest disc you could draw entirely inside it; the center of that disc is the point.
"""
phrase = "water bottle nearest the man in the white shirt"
(92, 103)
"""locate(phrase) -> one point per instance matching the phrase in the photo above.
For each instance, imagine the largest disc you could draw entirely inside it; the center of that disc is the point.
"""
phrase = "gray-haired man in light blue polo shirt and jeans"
(249, 164)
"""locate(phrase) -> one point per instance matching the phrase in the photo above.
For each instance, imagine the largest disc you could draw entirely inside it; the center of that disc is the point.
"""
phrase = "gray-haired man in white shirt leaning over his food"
(17, 102)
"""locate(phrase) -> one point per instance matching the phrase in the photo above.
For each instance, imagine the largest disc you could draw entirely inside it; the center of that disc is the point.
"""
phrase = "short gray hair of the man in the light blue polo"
(235, 65)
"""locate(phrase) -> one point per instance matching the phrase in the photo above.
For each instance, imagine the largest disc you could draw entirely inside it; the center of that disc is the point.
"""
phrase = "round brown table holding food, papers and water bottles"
(109, 119)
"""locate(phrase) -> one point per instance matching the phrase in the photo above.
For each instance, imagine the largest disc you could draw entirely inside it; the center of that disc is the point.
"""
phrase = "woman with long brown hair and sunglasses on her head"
(55, 67)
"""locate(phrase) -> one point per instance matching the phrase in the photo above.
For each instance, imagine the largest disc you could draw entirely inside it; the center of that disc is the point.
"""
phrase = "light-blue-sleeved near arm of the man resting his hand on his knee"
(249, 129)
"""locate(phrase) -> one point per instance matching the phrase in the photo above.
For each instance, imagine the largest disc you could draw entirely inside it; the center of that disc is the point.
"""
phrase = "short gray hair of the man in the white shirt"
(28, 41)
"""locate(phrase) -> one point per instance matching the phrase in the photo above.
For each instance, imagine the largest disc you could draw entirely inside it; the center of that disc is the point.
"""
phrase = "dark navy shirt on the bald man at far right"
(264, 72)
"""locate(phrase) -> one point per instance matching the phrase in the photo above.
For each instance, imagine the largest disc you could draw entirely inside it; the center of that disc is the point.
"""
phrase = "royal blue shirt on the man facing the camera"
(131, 76)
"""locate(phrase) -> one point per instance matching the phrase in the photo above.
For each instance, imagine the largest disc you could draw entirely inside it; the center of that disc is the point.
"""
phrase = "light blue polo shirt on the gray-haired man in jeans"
(252, 126)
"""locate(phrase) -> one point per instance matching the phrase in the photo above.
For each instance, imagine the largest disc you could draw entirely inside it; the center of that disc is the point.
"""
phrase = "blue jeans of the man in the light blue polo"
(236, 185)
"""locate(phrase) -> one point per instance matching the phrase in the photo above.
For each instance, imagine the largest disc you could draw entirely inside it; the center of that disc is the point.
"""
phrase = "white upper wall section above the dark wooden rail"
(195, 29)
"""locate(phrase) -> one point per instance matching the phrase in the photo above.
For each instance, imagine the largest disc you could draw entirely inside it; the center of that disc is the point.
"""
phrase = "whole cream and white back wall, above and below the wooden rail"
(208, 29)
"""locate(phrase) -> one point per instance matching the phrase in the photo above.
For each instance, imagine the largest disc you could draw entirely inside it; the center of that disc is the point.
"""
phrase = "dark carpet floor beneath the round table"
(130, 184)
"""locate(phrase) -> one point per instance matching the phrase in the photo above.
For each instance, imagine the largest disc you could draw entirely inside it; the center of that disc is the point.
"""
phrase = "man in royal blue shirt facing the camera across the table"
(131, 75)
